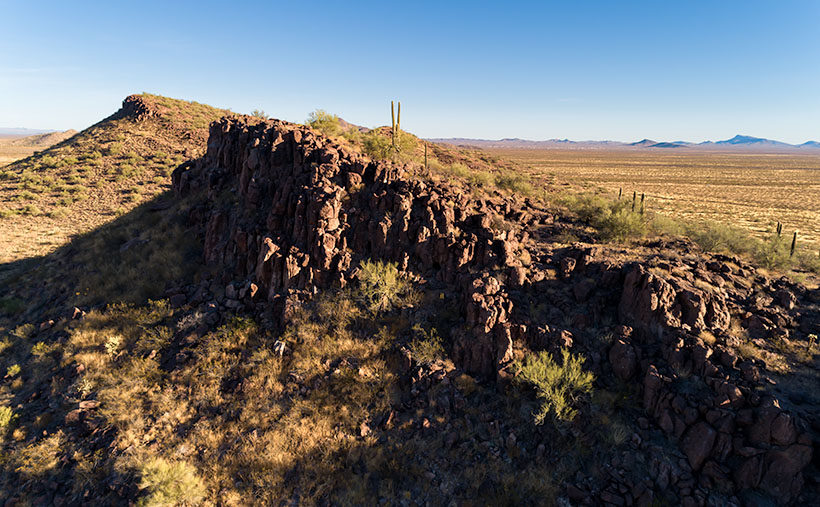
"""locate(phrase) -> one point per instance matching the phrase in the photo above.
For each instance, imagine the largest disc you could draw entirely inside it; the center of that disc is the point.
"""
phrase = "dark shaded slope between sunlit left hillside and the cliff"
(131, 259)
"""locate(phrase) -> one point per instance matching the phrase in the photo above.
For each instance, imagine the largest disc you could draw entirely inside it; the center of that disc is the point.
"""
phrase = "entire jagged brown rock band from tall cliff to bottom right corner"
(288, 214)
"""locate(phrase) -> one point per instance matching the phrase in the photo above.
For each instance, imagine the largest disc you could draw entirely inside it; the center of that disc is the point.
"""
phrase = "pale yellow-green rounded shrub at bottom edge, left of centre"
(170, 483)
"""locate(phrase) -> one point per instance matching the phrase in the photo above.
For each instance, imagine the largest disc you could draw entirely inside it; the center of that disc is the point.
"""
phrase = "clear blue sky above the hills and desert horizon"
(537, 70)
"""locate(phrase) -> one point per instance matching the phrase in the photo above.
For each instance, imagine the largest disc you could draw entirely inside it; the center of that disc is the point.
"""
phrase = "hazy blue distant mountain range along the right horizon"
(737, 143)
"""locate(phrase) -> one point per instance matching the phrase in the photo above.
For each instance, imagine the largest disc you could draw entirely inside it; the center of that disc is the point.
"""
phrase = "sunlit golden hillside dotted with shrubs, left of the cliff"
(99, 173)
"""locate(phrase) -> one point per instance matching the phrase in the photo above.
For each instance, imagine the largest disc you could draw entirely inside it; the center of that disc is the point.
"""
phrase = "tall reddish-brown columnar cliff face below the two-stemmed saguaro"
(292, 213)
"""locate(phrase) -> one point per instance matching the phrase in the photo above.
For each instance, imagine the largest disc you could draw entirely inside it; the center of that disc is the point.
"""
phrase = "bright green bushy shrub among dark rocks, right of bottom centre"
(558, 386)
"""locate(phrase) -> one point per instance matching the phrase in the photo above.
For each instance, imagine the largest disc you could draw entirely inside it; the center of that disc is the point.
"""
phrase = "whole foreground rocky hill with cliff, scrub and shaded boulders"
(360, 331)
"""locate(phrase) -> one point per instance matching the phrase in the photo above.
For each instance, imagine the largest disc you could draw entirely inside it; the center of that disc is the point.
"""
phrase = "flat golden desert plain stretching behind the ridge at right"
(752, 191)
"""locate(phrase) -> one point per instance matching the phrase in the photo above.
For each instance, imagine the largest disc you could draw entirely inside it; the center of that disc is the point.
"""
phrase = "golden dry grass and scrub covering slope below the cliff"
(240, 414)
